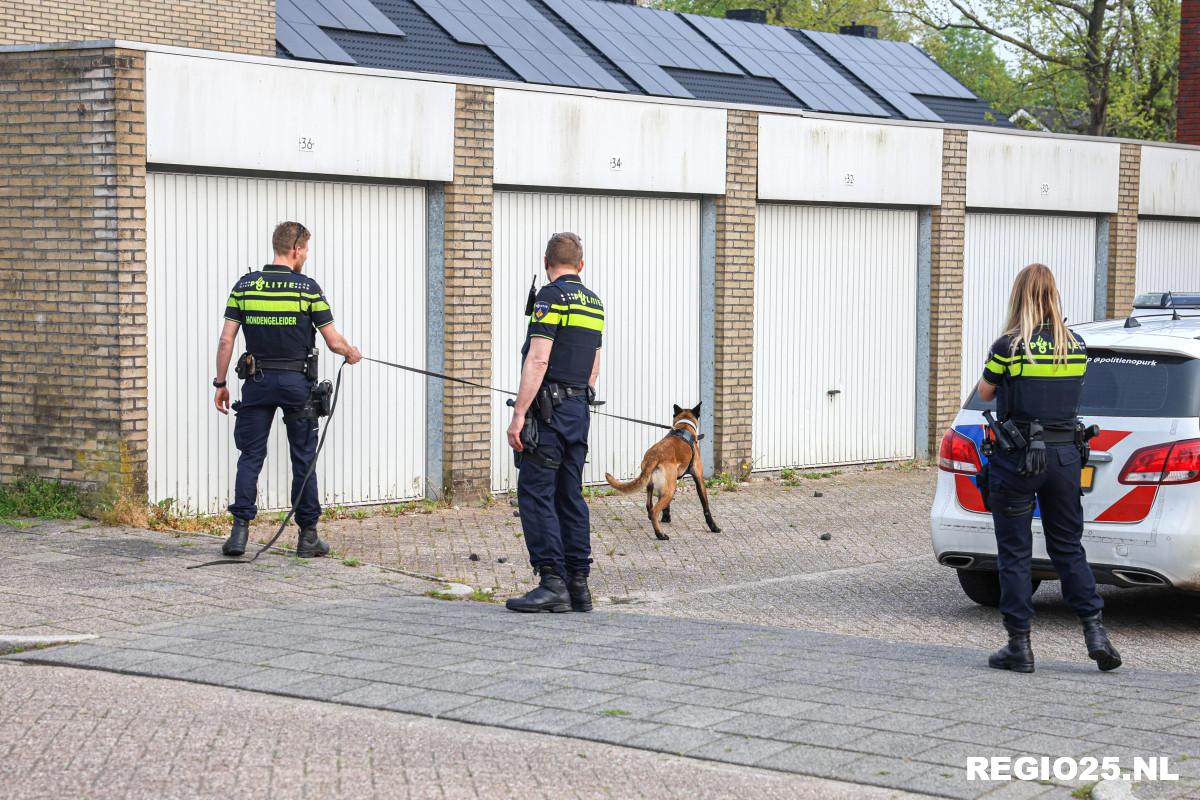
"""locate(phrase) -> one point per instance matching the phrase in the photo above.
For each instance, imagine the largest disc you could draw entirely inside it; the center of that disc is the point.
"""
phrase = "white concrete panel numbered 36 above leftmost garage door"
(205, 112)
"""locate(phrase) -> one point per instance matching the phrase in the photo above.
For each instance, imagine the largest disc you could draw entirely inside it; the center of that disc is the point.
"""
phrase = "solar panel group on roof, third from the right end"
(643, 41)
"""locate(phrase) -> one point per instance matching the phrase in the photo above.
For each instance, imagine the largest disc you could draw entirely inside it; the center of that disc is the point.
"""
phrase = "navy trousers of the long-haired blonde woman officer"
(1058, 492)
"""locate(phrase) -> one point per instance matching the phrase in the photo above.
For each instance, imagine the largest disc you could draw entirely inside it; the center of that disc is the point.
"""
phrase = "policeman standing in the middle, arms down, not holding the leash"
(560, 370)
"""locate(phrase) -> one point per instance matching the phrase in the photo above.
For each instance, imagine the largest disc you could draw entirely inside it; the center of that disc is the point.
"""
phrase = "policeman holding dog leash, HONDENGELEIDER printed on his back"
(281, 311)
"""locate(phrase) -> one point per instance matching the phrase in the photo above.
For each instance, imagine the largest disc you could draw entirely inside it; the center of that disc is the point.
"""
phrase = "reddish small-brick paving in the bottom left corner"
(70, 733)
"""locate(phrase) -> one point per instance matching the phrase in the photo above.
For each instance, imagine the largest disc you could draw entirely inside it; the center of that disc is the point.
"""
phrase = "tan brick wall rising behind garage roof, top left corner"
(232, 26)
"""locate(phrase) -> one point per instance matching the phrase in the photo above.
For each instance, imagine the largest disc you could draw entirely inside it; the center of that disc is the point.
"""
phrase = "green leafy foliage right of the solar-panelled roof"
(1103, 68)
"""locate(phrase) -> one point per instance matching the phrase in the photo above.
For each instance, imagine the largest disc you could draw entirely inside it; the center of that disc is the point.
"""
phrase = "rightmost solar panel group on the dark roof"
(895, 70)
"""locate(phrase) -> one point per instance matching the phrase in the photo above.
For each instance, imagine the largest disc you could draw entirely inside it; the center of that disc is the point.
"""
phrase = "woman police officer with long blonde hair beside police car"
(1036, 372)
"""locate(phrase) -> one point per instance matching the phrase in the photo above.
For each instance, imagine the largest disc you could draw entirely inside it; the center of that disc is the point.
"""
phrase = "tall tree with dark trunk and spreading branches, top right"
(1117, 61)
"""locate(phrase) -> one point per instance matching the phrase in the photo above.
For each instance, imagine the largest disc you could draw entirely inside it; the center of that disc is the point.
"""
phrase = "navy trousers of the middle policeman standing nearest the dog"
(554, 515)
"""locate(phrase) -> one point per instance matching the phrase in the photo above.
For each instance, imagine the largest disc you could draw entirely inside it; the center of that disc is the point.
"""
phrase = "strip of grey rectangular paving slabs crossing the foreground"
(848, 708)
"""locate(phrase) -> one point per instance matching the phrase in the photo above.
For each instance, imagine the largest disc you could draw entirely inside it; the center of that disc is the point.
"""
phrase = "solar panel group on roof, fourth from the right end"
(524, 39)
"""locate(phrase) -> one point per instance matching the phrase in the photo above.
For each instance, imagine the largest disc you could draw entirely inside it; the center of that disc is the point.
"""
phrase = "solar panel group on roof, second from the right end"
(772, 52)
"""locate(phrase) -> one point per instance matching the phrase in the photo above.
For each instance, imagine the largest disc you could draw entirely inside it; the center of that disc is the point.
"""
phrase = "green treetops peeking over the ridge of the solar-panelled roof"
(811, 15)
